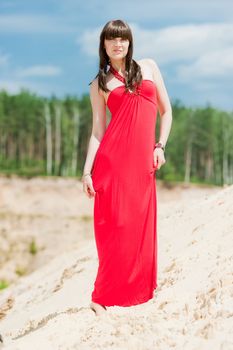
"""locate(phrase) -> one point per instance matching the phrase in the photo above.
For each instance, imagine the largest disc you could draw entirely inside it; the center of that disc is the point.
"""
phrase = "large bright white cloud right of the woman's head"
(184, 42)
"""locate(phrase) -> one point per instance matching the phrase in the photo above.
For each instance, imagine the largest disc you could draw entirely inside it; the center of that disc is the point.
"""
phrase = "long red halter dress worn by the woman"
(125, 210)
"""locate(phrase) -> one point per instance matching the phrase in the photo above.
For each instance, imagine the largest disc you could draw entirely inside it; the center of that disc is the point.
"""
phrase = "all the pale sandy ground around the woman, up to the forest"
(48, 307)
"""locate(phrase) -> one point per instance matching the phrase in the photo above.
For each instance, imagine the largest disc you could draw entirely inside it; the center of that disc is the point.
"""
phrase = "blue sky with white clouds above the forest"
(51, 47)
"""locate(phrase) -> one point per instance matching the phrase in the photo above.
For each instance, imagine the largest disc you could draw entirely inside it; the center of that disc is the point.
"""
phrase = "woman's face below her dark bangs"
(116, 48)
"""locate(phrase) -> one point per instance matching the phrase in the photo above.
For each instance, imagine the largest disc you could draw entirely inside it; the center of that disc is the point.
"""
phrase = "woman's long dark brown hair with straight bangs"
(133, 75)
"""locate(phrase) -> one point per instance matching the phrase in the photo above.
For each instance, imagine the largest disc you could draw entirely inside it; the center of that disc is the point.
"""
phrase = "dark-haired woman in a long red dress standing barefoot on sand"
(120, 166)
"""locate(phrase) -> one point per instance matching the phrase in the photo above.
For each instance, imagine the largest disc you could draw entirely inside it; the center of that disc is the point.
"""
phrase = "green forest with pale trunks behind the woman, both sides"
(49, 136)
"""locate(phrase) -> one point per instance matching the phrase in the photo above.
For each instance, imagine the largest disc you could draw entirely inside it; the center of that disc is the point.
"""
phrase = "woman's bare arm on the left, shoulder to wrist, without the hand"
(98, 125)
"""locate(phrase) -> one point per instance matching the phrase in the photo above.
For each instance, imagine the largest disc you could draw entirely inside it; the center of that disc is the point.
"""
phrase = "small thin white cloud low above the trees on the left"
(39, 71)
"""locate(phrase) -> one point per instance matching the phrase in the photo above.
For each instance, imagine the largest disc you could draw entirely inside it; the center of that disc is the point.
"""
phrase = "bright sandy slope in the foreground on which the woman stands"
(191, 309)
